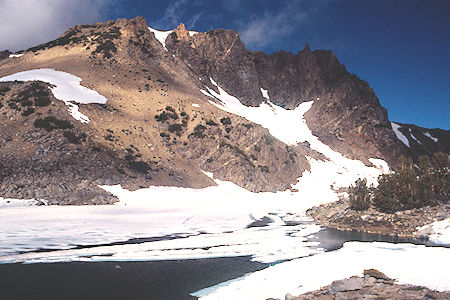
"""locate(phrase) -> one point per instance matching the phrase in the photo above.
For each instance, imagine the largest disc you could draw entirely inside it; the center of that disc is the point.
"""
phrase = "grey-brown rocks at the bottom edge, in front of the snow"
(373, 285)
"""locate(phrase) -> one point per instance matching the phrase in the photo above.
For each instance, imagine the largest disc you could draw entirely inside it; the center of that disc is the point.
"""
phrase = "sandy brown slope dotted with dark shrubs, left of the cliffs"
(148, 133)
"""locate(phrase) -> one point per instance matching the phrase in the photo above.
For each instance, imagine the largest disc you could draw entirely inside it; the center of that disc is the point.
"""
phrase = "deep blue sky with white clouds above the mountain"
(401, 47)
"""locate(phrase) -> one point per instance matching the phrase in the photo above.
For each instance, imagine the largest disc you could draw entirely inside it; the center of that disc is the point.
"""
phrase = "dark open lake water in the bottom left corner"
(163, 280)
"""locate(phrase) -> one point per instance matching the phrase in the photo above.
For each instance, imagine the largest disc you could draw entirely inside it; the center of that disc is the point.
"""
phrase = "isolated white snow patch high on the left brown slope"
(66, 87)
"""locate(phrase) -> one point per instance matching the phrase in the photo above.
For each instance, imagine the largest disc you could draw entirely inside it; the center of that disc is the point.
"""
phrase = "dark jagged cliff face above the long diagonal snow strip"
(346, 113)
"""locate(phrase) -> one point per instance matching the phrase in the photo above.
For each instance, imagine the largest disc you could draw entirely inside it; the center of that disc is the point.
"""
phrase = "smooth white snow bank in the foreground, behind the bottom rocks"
(412, 264)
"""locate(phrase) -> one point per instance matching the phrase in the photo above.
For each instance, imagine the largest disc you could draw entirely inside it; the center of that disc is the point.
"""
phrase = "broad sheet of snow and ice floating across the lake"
(204, 228)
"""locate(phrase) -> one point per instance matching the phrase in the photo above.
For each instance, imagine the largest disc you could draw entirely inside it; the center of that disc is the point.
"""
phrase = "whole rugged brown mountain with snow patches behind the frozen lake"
(164, 107)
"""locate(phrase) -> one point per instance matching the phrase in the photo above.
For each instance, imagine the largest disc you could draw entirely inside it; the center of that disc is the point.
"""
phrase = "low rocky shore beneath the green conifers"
(404, 224)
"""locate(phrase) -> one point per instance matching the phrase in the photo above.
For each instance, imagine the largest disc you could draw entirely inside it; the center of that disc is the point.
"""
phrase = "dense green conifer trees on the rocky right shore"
(411, 187)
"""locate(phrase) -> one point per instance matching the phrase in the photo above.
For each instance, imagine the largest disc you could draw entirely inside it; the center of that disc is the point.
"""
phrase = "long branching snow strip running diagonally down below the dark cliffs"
(289, 126)
